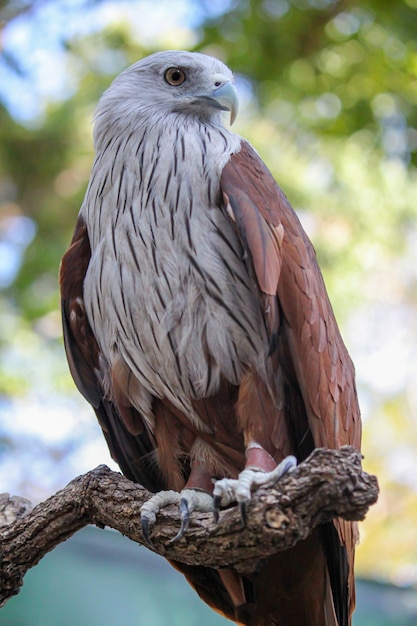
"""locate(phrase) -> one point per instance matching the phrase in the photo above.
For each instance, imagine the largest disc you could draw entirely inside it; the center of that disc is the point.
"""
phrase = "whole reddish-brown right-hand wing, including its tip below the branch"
(321, 394)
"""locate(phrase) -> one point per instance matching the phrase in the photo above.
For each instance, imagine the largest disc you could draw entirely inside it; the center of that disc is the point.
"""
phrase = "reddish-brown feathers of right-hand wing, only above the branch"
(287, 272)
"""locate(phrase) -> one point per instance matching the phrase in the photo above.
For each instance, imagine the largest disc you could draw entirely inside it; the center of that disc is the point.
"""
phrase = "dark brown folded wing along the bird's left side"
(133, 452)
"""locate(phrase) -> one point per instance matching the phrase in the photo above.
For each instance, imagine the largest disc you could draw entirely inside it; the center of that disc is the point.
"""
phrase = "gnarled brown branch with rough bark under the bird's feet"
(330, 483)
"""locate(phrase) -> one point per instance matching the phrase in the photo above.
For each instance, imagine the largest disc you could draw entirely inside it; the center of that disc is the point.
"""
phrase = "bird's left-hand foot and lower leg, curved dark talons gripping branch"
(196, 496)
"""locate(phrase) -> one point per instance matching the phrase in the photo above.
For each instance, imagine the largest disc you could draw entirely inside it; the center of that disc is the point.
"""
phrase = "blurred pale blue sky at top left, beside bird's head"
(35, 42)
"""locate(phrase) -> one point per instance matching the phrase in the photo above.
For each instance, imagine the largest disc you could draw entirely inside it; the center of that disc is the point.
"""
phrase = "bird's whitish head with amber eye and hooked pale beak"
(174, 82)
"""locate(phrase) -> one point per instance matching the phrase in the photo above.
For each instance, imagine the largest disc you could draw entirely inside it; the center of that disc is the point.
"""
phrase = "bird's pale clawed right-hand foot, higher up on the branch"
(260, 471)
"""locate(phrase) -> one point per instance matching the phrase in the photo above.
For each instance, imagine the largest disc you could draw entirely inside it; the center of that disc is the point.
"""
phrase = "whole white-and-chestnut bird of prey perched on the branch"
(197, 324)
